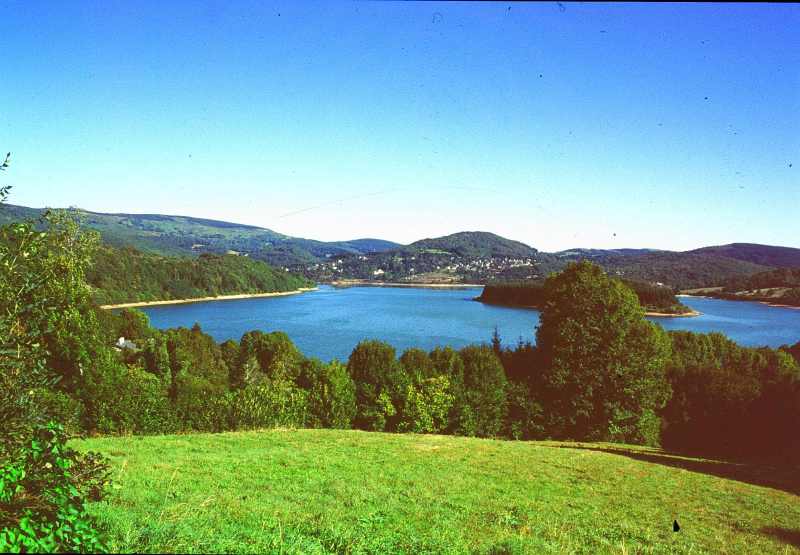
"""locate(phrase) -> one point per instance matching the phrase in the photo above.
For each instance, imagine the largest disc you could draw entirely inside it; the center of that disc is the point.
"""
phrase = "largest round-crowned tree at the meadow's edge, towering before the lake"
(603, 364)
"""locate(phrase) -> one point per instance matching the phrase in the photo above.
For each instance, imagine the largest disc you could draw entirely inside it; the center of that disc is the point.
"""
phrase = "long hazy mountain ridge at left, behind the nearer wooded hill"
(183, 235)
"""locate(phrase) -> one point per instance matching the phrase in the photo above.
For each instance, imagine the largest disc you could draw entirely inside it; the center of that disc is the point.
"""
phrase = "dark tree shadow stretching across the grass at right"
(785, 478)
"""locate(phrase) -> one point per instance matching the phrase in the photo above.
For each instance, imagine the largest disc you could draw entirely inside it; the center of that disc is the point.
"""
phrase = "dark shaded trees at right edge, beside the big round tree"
(730, 399)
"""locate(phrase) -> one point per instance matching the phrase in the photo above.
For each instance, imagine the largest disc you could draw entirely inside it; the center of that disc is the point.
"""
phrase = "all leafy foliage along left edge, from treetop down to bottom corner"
(48, 335)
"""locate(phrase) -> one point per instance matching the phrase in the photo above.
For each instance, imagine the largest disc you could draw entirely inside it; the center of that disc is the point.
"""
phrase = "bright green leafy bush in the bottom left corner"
(43, 497)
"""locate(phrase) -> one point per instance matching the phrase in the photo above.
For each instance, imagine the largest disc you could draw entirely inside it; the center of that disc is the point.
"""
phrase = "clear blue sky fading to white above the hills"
(561, 125)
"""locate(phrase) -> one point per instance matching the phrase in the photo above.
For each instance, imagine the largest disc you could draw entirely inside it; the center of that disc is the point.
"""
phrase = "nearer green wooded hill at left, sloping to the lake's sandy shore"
(123, 275)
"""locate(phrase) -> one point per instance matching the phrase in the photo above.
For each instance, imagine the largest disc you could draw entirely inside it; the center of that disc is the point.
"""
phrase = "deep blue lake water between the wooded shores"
(329, 322)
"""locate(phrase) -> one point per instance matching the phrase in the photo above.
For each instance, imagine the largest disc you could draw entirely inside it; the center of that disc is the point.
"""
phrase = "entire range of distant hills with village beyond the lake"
(460, 257)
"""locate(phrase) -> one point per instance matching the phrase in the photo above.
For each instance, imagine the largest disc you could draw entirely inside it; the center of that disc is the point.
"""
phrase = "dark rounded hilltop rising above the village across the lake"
(474, 244)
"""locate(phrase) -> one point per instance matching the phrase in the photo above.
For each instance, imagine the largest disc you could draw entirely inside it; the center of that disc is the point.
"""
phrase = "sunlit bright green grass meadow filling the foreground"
(321, 491)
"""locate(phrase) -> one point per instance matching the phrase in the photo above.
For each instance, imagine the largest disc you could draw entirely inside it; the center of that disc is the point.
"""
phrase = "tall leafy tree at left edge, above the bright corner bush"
(46, 329)
